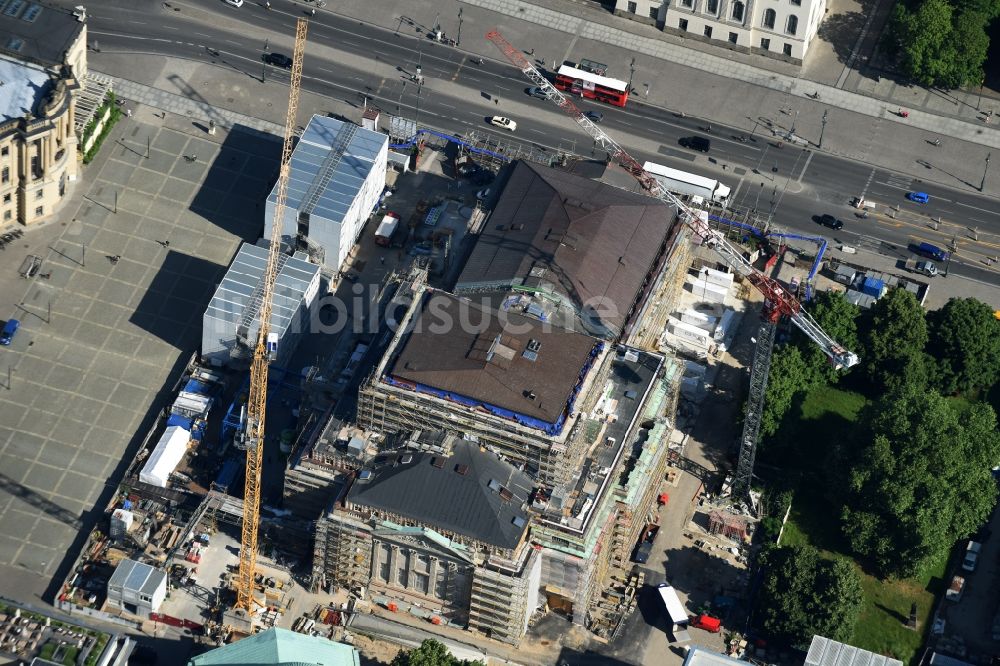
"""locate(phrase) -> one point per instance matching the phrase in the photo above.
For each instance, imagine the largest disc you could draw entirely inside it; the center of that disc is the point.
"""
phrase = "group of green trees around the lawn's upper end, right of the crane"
(914, 476)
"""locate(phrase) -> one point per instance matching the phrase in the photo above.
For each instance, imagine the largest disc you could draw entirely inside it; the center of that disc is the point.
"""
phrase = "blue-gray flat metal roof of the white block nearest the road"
(329, 165)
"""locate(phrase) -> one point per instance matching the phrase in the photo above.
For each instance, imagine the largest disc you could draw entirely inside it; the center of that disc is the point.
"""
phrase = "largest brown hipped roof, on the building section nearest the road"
(591, 241)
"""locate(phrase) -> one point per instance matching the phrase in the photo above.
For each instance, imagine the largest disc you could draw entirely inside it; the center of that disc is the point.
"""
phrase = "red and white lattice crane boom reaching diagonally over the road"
(778, 301)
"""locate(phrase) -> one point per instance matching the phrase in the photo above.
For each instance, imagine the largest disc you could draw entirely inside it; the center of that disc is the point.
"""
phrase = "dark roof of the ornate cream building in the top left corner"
(38, 32)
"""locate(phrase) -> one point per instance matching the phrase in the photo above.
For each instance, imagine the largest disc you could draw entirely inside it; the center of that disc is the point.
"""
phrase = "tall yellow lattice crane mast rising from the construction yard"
(257, 402)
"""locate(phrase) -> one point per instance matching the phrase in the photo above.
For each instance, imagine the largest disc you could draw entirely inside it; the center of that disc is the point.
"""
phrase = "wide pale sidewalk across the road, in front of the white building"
(733, 90)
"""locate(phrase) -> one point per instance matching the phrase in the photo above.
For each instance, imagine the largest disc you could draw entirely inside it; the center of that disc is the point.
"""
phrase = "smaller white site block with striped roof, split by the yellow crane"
(232, 319)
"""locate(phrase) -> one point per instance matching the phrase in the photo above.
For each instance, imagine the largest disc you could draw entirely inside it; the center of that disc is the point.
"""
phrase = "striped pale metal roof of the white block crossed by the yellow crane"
(243, 278)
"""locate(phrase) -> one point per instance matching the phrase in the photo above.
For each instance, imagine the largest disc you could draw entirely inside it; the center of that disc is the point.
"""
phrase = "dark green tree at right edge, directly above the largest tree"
(965, 339)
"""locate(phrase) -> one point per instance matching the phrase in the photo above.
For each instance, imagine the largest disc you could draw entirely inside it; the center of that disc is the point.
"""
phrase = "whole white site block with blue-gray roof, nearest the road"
(337, 176)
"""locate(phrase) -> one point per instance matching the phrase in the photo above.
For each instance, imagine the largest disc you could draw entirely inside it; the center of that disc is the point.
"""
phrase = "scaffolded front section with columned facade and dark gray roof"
(441, 532)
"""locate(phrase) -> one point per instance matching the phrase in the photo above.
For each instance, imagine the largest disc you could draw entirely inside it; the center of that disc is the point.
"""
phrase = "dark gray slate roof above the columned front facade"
(471, 492)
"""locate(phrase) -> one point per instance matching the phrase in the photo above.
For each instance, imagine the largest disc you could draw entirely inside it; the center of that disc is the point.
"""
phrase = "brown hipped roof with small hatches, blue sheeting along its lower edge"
(485, 359)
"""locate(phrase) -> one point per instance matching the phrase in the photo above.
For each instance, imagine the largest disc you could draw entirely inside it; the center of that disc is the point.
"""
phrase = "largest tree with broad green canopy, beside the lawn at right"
(923, 482)
